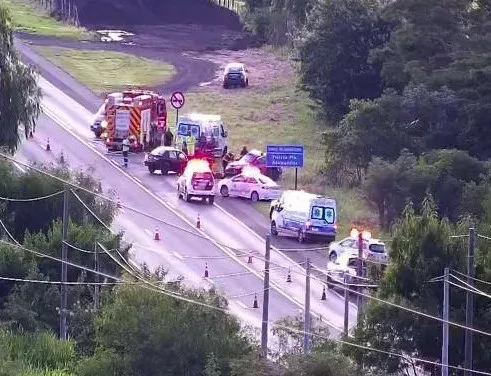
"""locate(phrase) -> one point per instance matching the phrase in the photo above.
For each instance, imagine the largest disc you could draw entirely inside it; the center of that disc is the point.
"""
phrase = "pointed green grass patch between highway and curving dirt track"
(104, 71)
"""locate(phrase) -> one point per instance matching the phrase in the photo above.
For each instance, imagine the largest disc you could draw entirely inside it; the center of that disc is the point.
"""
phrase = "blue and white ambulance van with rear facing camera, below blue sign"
(304, 215)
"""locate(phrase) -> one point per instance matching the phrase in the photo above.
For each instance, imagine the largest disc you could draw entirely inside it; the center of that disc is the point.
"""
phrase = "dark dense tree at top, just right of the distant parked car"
(333, 51)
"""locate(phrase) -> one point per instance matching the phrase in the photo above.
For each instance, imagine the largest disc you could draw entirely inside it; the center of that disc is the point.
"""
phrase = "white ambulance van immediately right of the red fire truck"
(208, 130)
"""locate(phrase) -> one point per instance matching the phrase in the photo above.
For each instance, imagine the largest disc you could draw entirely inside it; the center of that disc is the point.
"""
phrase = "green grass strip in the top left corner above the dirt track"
(29, 17)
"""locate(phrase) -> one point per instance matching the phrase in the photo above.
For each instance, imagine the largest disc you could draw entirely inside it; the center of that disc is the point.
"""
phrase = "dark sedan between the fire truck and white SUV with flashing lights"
(166, 159)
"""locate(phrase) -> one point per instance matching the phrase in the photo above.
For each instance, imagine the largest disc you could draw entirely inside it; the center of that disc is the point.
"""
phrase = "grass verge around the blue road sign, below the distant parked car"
(283, 115)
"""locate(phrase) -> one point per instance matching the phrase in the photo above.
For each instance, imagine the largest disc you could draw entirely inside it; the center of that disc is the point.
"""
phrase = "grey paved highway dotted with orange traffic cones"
(66, 125)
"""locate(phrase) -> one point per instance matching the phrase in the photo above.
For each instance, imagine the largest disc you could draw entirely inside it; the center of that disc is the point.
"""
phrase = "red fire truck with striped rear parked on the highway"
(140, 115)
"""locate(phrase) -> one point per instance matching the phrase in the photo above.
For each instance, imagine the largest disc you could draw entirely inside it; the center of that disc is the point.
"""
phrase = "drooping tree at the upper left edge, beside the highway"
(20, 96)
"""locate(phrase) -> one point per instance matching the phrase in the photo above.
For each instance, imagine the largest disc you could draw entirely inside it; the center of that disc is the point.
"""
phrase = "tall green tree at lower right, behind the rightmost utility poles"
(421, 248)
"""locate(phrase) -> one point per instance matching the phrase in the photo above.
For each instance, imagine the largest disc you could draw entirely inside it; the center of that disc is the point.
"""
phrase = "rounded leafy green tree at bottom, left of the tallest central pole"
(149, 331)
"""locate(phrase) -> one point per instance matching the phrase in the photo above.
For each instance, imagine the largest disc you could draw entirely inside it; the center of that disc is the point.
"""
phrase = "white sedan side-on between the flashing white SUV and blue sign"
(257, 187)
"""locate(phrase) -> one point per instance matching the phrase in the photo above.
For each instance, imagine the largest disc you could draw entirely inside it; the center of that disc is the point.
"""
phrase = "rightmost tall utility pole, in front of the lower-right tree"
(469, 301)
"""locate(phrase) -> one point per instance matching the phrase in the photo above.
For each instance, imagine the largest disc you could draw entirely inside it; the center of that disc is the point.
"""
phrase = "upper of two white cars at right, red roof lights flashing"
(373, 249)
